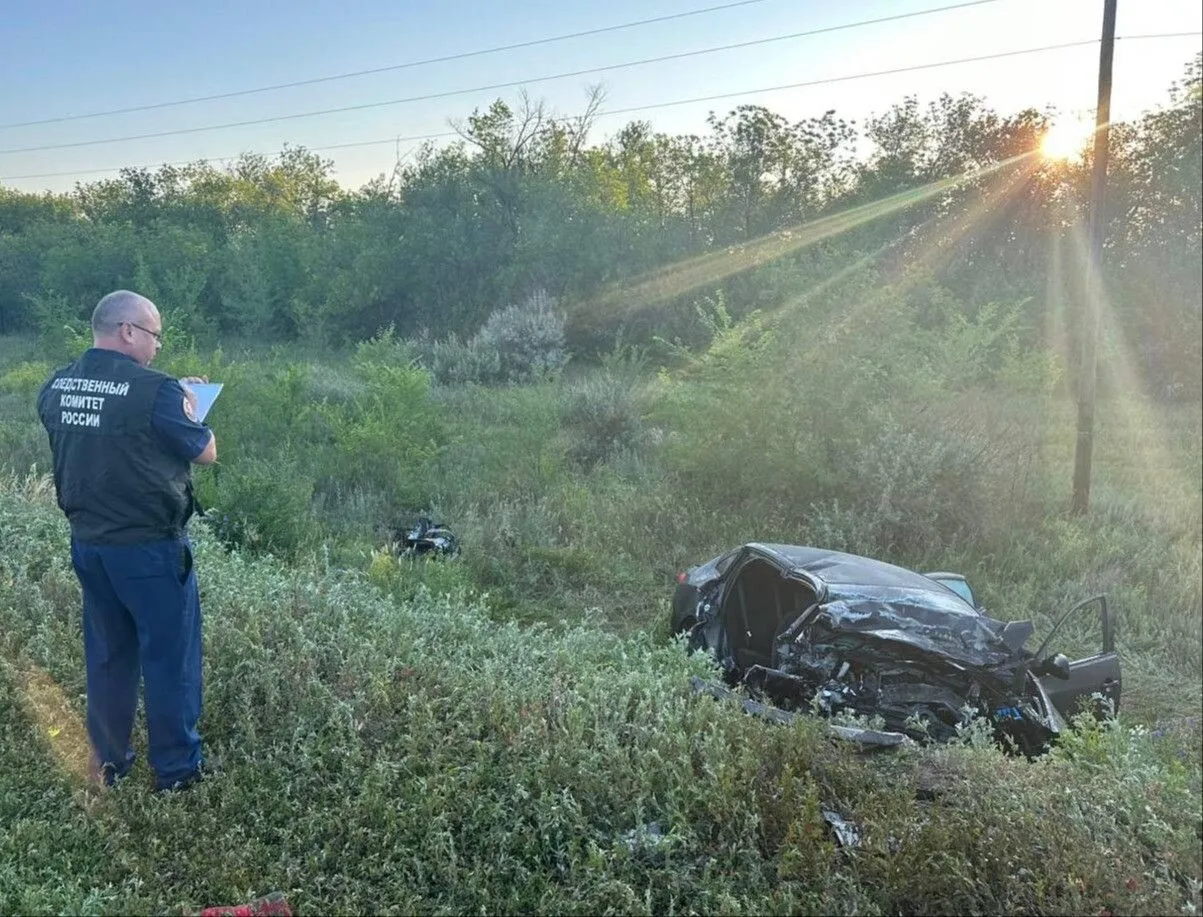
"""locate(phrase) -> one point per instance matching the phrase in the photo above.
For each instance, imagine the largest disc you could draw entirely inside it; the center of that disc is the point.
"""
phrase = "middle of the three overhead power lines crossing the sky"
(508, 85)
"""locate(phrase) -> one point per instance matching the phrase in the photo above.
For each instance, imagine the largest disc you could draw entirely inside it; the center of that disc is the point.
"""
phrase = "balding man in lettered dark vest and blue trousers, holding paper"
(125, 440)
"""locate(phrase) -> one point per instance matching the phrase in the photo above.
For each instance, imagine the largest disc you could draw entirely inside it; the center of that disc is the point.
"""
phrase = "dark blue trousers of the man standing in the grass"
(143, 617)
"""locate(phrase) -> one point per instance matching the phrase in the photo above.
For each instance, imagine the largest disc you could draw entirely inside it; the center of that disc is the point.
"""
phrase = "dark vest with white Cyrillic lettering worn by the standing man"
(115, 480)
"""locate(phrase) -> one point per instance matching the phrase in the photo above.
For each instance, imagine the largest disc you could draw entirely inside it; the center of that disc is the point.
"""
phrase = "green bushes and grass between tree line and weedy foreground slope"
(582, 498)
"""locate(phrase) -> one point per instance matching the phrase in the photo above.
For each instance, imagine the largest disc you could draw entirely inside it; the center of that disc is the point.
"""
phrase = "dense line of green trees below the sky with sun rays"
(274, 247)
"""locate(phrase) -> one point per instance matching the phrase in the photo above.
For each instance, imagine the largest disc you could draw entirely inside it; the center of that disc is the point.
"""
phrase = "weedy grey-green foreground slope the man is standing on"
(420, 758)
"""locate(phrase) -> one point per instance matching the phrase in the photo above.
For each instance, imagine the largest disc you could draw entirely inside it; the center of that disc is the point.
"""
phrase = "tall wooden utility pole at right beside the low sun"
(1089, 370)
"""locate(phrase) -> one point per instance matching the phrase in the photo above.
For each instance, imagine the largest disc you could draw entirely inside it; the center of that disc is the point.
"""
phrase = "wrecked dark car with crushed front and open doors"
(809, 630)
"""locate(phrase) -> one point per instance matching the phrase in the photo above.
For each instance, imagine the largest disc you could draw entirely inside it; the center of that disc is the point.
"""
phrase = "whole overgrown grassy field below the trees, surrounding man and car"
(514, 732)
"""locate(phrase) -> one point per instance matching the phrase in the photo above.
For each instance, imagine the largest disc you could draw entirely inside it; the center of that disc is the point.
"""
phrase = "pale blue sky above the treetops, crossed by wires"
(64, 60)
